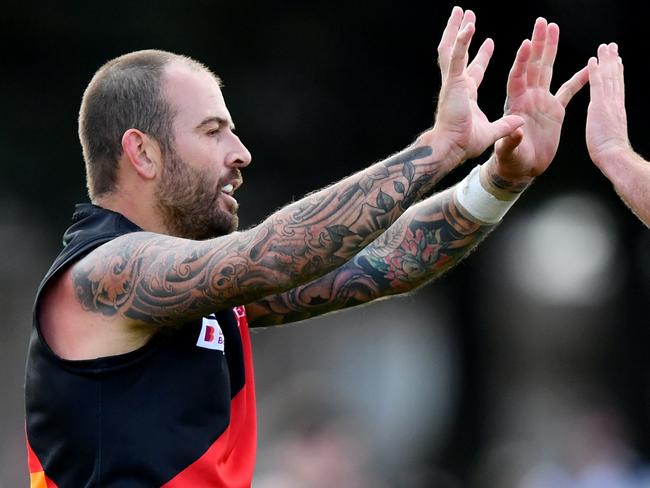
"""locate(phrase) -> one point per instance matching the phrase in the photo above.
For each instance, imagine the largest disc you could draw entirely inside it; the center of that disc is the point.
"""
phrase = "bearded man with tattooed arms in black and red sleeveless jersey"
(139, 370)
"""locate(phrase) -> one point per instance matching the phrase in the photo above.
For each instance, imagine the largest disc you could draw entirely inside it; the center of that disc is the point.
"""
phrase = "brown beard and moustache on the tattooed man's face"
(188, 200)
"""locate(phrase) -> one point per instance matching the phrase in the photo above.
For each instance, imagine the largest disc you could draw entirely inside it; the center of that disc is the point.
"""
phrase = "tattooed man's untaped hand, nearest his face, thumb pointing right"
(459, 120)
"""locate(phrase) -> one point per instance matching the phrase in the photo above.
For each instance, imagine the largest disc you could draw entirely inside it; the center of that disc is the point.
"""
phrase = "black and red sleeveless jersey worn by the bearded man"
(179, 412)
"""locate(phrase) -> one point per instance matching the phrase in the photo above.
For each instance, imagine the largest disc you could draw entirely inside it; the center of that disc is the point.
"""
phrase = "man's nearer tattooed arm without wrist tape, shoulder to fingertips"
(148, 278)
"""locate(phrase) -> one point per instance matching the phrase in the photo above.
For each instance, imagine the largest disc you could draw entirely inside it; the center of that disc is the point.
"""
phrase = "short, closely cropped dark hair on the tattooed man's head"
(125, 93)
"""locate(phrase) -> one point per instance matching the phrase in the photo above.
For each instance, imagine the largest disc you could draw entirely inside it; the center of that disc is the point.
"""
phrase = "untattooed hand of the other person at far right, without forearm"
(607, 135)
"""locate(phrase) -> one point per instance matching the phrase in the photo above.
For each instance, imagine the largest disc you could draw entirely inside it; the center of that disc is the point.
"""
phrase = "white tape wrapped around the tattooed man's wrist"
(478, 202)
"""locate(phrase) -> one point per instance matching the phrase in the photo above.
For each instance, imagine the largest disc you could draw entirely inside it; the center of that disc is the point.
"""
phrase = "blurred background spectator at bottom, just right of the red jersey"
(319, 444)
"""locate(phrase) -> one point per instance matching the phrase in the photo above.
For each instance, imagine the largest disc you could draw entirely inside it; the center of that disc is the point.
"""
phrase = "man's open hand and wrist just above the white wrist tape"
(529, 150)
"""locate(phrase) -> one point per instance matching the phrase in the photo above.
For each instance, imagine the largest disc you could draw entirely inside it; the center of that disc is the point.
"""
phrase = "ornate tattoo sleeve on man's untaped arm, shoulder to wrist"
(150, 278)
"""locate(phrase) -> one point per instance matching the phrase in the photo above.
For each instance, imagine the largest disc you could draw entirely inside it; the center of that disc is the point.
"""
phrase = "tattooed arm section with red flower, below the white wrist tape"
(425, 242)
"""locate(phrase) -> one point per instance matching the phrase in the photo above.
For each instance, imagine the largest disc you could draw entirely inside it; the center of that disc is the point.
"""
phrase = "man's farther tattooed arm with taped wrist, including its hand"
(434, 235)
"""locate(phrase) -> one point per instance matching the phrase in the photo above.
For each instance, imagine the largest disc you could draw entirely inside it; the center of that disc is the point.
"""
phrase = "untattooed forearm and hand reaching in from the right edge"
(607, 137)
